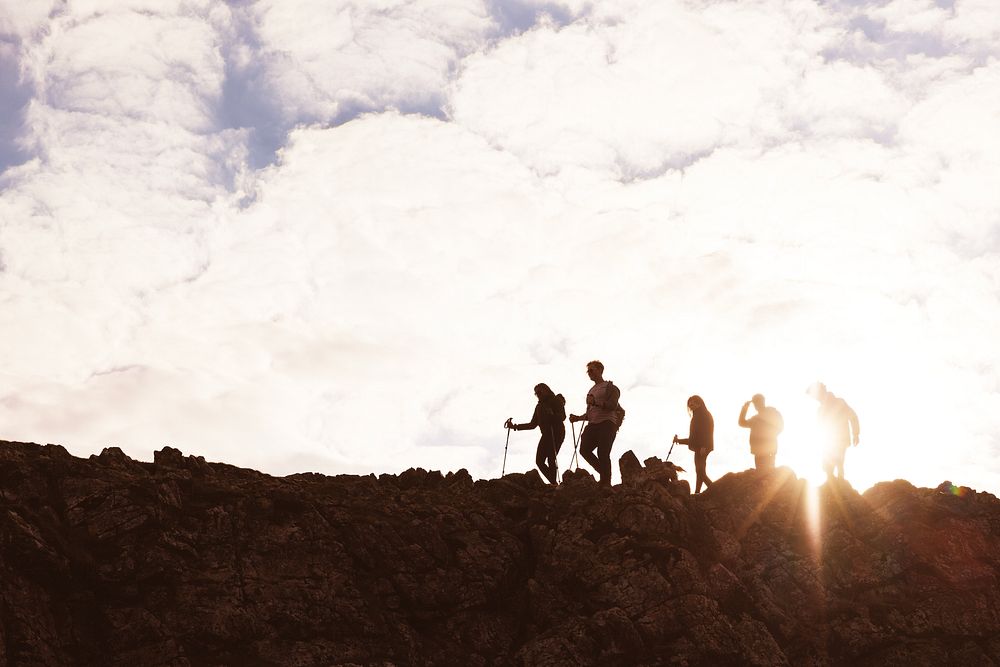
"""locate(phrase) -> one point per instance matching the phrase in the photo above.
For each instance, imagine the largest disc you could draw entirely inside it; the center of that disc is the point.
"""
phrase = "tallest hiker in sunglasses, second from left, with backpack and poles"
(604, 416)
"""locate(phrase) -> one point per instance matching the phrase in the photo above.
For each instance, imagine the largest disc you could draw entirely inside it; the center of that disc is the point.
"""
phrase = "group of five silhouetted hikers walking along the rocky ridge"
(838, 423)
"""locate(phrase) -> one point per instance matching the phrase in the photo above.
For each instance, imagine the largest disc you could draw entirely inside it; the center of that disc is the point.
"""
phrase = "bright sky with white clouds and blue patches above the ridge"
(351, 236)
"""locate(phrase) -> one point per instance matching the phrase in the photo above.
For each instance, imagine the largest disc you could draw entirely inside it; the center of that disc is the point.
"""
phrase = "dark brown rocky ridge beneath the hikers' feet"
(109, 561)
